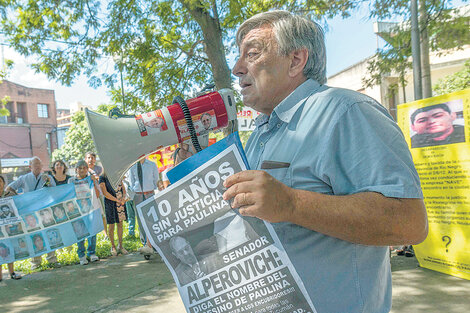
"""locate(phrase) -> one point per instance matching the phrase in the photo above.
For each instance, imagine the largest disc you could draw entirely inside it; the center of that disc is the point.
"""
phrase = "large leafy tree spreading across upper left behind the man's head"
(162, 48)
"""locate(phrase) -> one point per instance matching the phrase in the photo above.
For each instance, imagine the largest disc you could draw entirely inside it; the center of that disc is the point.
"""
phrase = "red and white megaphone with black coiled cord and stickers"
(120, 142)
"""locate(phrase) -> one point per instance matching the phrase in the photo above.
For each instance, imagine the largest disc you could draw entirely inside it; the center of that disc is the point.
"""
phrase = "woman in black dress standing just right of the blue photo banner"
(115, 211)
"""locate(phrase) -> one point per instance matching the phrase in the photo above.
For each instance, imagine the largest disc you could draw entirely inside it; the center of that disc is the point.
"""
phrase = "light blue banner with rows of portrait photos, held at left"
(48, 219)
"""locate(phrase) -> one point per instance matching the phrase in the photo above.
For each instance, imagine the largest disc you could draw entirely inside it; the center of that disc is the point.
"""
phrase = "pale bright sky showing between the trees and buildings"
(348, 41)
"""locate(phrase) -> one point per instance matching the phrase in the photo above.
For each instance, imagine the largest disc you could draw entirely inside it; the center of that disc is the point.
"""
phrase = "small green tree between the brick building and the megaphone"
(78, 138)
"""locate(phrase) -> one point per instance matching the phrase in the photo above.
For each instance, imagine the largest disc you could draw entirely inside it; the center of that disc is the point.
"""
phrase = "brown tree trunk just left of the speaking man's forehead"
(213, 44)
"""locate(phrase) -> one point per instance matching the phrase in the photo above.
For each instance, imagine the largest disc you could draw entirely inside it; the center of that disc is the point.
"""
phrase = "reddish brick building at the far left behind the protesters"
(30, 130)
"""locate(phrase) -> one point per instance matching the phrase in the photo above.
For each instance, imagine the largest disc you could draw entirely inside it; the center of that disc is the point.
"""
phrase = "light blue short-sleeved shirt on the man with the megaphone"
(338, 142)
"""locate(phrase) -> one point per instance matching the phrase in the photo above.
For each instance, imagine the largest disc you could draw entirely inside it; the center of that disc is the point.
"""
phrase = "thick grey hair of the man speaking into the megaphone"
(293, 32)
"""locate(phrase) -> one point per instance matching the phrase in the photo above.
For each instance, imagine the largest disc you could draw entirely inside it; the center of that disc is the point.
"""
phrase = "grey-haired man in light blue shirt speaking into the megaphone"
(331, 170)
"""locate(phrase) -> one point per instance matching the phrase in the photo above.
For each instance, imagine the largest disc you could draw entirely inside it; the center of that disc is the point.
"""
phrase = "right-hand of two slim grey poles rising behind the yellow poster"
(425, 65)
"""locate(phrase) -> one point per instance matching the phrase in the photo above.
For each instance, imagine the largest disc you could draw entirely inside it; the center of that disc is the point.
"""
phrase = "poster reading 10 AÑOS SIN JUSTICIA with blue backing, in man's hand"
(220, 260)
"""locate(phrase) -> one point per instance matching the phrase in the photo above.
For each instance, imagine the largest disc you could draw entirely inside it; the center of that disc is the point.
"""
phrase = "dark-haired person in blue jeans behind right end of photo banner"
(81, 171)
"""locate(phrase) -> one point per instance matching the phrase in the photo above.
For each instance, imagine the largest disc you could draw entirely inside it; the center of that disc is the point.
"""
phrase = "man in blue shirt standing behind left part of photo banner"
(29, 182)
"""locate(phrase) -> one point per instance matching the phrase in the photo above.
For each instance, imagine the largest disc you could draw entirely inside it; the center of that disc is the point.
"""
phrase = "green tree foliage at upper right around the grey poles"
(444, 26)
